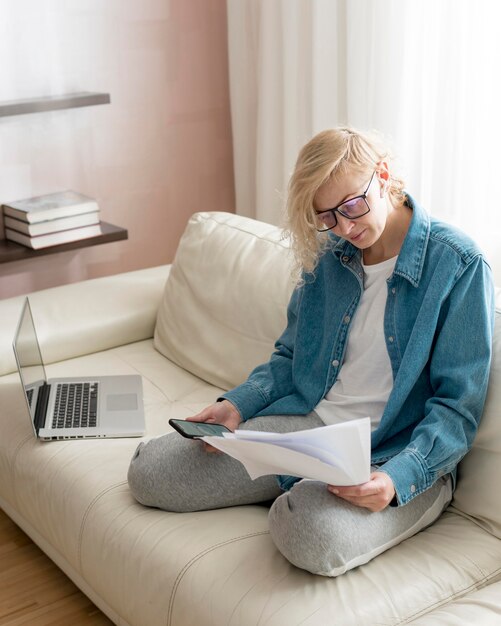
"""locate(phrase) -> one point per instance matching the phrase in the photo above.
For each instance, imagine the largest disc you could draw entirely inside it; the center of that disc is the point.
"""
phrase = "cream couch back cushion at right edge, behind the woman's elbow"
(479, 476)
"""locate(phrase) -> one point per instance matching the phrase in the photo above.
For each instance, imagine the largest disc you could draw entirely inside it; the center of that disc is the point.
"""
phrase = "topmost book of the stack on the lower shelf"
(50, 206)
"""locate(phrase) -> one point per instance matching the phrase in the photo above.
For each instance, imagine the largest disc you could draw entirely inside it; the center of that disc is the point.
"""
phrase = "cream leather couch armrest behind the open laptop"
(86, 317)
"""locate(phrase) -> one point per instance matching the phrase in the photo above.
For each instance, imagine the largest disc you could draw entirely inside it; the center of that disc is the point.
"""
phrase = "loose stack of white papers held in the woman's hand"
(337, 454)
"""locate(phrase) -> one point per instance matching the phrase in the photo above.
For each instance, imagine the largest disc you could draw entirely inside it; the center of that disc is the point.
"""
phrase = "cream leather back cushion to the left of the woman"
(225, 302)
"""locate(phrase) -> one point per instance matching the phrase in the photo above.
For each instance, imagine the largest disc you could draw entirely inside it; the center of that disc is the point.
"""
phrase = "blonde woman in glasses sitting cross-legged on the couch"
(392, 318)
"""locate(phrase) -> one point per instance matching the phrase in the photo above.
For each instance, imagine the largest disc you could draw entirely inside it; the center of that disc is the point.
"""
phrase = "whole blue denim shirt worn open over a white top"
(438, 327)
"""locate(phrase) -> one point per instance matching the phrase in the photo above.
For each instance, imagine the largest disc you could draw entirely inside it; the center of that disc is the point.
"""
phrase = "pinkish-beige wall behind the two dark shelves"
(159, 152)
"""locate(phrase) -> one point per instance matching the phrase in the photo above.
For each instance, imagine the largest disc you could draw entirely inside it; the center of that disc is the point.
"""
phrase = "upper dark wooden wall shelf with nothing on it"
(53, 103)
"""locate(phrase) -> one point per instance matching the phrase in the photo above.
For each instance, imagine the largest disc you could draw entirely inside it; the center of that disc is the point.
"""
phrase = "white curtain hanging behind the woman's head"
(424, 73)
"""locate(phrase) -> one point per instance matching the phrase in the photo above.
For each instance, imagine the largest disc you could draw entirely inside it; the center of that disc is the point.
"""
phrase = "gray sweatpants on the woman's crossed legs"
(314, 529)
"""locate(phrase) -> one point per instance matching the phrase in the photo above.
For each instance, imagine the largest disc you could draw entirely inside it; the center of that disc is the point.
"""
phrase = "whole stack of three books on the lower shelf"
(51, 219)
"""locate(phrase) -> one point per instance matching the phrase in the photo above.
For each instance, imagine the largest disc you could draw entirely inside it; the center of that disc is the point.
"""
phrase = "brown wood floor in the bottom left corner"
(34, 591)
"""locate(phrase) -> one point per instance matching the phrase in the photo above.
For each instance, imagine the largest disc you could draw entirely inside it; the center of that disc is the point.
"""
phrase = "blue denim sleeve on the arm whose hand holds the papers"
(459, 372)
